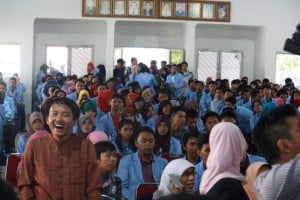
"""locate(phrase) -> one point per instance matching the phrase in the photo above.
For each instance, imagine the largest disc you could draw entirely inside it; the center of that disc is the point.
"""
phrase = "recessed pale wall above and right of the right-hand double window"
(226, 38)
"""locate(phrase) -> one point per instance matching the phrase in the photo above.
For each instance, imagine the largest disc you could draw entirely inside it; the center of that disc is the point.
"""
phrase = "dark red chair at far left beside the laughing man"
(11, 168)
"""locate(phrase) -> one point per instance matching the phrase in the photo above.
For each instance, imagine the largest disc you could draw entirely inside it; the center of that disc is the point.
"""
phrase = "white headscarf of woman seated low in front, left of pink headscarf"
(176, 167)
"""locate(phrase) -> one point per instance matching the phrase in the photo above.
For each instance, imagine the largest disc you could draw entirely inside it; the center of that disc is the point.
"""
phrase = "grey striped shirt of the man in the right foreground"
(281, 182)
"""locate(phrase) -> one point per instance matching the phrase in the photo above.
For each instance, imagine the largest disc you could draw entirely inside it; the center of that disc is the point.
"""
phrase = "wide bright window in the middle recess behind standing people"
(175, 56)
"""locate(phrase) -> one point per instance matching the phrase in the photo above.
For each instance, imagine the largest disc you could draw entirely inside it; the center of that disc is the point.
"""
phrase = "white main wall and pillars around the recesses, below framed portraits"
(277, 19)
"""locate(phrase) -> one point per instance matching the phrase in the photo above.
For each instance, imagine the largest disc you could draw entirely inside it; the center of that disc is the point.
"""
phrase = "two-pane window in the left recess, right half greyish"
(69, 59)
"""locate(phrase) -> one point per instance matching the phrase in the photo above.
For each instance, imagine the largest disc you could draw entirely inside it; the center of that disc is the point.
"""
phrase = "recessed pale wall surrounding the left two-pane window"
(62, 32)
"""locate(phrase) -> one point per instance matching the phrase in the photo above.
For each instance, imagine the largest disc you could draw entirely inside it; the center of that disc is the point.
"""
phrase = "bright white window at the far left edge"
(10, 59)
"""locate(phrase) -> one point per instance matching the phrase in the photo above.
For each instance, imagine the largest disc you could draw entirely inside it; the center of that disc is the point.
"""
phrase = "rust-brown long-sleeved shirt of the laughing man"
(59, 170)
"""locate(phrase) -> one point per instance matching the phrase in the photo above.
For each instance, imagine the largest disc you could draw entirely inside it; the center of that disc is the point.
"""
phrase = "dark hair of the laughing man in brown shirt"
(61, 101)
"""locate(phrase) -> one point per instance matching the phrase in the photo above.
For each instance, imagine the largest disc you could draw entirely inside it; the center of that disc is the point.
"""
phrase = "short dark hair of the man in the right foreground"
(270, 128)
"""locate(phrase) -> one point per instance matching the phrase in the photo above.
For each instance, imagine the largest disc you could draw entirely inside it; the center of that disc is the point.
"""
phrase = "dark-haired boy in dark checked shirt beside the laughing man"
(107, 161)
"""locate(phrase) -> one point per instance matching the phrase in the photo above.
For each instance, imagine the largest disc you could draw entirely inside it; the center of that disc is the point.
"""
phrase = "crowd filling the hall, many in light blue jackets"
(226, 140)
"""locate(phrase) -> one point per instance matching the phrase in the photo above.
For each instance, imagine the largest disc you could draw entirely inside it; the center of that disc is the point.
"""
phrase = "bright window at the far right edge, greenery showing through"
(287, 65)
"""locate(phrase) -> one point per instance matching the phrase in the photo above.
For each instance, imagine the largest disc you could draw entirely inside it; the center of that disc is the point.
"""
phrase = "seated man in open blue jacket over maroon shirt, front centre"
(142, 166)
